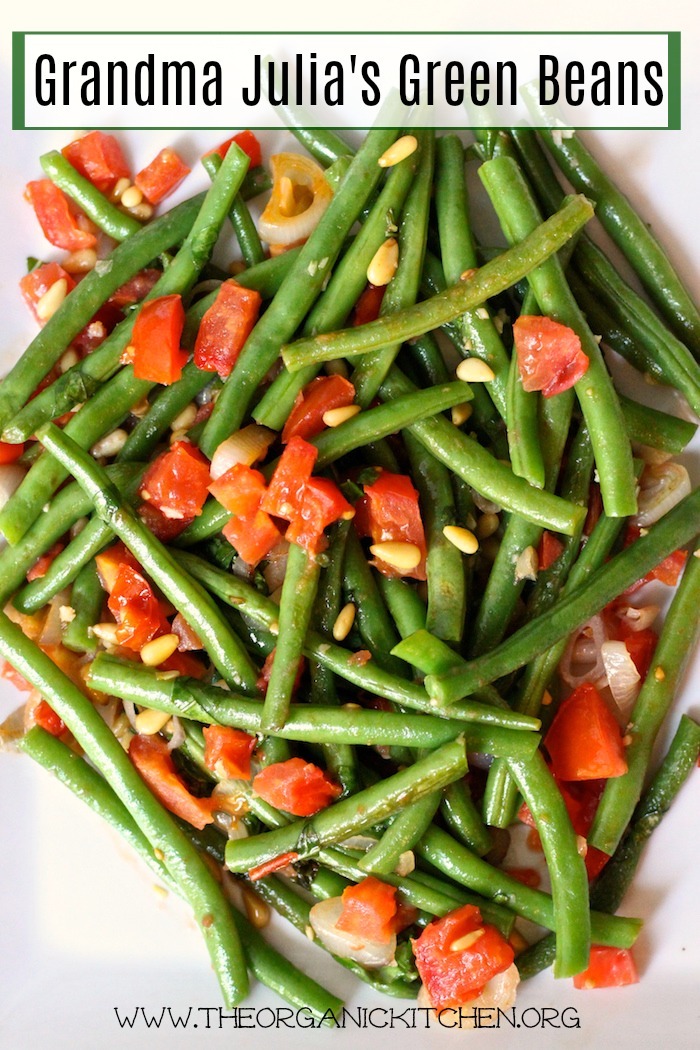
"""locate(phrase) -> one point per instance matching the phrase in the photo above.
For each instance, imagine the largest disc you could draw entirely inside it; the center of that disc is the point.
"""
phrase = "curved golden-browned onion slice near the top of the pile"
(301, 195)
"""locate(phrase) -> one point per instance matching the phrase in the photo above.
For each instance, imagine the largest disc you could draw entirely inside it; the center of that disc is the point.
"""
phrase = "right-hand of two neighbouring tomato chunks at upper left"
(226, 327)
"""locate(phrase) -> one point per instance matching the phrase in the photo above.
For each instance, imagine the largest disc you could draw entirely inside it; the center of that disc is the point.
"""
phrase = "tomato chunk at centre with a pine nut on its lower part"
(390, 511)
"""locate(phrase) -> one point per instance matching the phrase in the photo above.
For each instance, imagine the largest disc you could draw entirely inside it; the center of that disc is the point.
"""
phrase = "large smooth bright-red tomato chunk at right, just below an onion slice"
(585, 742)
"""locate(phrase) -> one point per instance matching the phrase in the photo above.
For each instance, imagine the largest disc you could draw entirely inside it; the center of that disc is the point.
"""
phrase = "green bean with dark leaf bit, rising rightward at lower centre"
(352, 815)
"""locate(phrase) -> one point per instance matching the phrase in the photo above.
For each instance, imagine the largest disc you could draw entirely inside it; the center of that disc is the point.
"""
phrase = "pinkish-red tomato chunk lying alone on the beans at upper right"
(549, 355)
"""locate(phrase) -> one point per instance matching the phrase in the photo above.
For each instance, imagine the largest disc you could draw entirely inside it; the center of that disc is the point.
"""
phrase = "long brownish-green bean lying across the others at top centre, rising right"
(490, 281)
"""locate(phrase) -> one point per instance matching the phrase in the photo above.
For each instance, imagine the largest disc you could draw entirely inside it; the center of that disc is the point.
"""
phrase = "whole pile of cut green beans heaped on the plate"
(388, 683)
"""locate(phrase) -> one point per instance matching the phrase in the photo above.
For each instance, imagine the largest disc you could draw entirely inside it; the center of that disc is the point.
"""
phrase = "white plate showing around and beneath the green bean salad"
(84, 933)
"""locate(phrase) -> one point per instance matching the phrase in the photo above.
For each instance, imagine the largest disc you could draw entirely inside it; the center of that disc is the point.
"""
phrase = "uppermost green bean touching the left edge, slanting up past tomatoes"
(84, 301)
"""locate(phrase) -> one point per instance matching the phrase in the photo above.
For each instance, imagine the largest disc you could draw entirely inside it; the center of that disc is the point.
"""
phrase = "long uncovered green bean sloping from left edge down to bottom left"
(183, 863)
